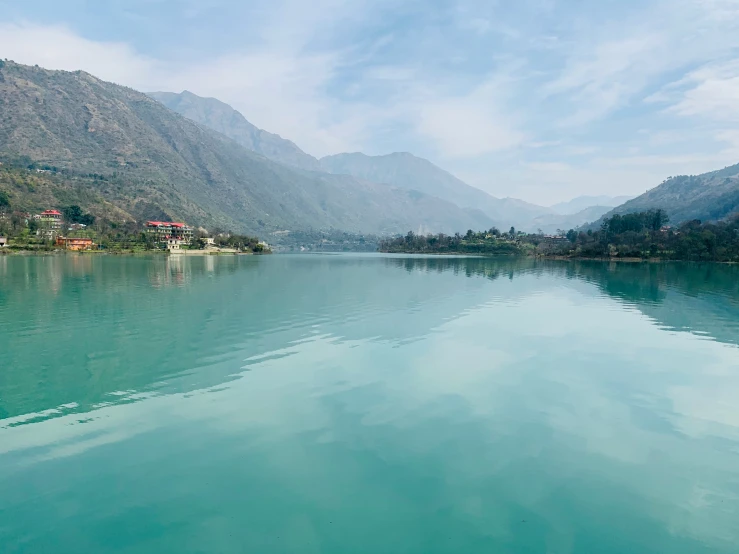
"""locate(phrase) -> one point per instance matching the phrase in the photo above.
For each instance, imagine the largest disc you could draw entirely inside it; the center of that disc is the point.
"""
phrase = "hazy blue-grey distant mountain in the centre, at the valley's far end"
(410, 172)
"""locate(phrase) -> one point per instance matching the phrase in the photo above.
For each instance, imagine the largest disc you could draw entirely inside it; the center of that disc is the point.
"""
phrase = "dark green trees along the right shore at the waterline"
(641, 235)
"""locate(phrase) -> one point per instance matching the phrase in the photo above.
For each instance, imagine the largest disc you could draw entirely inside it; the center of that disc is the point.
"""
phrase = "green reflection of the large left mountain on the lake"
(121, 324)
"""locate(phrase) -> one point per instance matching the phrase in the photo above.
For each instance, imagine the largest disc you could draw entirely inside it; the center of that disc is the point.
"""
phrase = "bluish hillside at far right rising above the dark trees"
(708, 197)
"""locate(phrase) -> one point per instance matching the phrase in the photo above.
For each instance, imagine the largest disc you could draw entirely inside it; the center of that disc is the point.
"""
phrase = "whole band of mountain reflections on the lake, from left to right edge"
(88, 327)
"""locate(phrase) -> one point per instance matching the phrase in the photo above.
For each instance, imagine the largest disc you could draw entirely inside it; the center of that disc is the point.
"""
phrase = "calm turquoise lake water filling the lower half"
(348, 404)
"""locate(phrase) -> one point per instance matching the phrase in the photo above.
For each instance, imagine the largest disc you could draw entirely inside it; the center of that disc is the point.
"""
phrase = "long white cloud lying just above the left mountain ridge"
(279, 90)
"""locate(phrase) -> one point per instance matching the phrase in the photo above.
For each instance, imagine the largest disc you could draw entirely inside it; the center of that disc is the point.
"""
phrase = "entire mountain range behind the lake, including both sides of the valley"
(180, 156)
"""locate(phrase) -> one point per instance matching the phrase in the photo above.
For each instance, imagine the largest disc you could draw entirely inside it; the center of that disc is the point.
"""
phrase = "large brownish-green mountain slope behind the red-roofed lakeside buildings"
(146, 159)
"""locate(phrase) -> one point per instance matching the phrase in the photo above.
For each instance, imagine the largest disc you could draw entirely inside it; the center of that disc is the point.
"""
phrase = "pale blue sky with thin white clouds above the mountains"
(542, 100)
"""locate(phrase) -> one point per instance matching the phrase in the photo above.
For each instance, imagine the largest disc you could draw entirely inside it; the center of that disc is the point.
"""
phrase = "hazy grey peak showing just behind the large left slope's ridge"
(223, 118)
